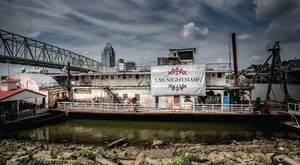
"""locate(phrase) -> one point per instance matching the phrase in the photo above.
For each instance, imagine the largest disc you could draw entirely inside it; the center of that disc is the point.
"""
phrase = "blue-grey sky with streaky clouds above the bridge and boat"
(142, 30)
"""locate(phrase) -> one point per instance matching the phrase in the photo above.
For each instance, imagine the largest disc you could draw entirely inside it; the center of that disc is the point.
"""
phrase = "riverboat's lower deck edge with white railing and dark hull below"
(191, 112)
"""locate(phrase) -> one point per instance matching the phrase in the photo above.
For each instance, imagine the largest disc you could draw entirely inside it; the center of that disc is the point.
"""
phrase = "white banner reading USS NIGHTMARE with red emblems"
(178, 80)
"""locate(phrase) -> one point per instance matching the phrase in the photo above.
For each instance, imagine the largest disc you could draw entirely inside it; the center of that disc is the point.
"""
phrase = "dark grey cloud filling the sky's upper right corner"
(284, 19)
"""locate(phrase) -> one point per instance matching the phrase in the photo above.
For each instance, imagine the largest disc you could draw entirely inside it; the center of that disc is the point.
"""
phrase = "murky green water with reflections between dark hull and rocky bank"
(99, 131)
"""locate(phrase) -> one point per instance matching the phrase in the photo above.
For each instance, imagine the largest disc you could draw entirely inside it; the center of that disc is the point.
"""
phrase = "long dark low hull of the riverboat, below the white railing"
(171, 115)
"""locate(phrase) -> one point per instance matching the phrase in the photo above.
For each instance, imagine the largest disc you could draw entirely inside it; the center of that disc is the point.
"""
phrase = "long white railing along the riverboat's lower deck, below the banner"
(69, 106)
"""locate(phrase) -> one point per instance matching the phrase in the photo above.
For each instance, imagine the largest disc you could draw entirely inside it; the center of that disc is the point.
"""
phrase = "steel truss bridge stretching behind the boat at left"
(17, 49)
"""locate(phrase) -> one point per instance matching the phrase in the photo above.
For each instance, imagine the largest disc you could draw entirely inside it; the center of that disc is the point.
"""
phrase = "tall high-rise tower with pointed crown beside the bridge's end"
(108, 56)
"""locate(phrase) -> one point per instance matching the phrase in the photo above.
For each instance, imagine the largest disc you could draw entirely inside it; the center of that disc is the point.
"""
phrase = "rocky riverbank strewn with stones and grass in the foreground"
(257, 151)
